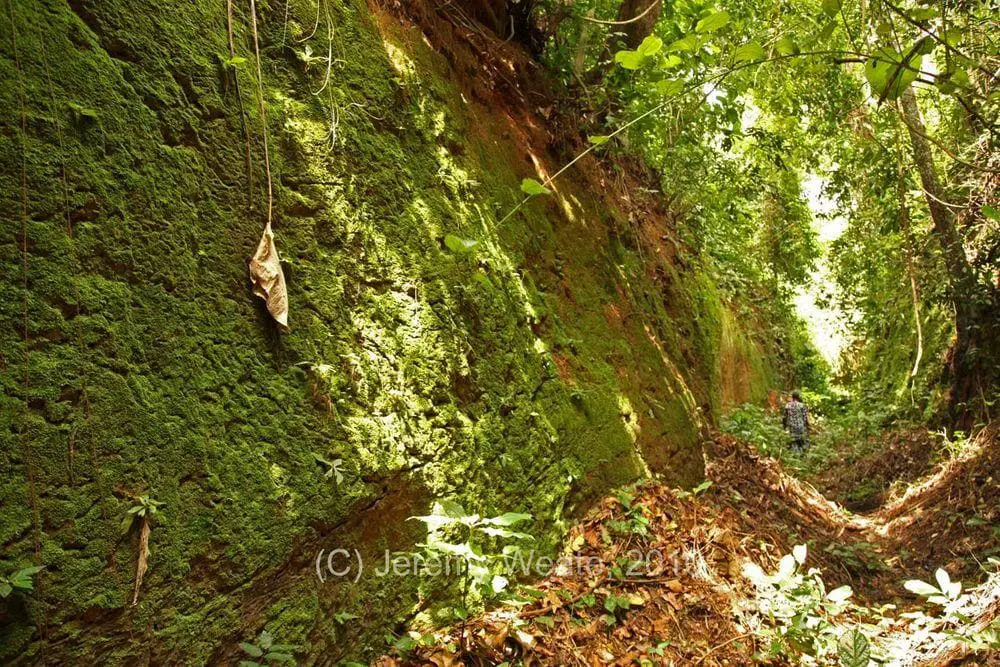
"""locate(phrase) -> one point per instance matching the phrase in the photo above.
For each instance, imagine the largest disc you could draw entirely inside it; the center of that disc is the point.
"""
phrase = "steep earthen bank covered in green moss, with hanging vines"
(550, 363)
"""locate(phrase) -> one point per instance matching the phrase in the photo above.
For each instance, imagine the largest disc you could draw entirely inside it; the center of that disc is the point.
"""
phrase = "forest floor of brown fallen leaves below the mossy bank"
(686, 600)
